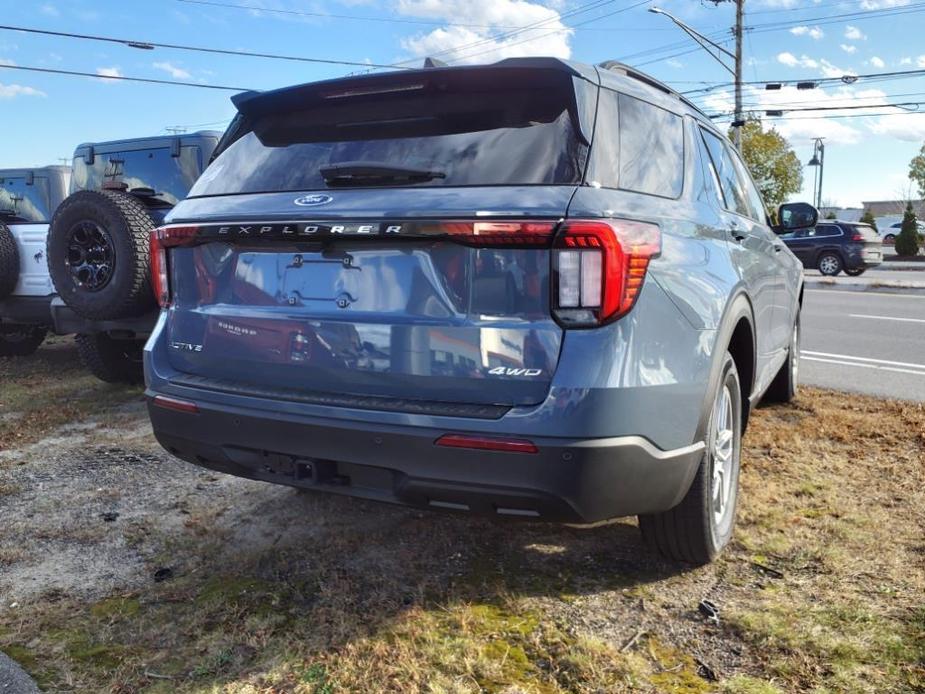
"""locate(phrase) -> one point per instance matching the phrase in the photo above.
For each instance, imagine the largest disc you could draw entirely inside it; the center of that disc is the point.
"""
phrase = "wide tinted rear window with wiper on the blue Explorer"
(496, 134)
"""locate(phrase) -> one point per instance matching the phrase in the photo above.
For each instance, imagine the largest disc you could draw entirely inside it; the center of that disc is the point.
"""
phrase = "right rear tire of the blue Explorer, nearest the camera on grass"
(691, 531)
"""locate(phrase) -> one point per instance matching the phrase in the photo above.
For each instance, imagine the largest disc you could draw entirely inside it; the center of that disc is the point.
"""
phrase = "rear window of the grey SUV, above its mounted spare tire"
(169, 176)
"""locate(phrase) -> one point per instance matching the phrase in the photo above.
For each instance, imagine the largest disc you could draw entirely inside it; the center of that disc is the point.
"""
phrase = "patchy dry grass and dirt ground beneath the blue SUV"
(123, 569)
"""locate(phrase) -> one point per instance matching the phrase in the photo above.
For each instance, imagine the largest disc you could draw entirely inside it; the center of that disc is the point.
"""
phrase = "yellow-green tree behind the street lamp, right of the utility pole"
(772, 162)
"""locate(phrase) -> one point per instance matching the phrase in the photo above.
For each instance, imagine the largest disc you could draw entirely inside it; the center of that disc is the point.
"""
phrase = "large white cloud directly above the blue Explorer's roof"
(459, 44)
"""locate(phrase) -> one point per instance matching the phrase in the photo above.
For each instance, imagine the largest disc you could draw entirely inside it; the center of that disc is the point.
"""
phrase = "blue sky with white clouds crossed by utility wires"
(43, 117)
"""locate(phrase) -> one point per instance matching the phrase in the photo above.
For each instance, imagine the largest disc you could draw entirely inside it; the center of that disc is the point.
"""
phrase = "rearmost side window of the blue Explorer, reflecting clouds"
(651, 148)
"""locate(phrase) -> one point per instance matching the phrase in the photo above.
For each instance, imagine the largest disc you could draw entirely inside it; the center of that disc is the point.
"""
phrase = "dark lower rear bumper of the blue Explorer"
(568, 480)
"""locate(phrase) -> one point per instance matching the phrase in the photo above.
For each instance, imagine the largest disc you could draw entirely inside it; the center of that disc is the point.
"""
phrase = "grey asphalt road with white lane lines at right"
(865, 342)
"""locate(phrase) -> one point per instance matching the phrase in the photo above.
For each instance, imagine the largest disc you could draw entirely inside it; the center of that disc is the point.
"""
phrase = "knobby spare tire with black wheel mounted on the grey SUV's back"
(98, 248)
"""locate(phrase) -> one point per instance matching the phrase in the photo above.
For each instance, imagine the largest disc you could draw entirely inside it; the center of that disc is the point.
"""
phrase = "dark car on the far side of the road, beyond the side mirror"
(832, 247)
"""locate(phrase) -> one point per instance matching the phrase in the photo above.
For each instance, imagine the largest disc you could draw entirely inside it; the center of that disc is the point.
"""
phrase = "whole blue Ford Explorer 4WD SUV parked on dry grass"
(534, 289)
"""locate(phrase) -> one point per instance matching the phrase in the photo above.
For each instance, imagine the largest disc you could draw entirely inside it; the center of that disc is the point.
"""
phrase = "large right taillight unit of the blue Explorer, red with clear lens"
(599, 268)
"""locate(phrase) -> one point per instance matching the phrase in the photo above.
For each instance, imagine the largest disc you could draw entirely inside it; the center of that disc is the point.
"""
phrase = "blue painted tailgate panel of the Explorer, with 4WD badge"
(354, 309)
